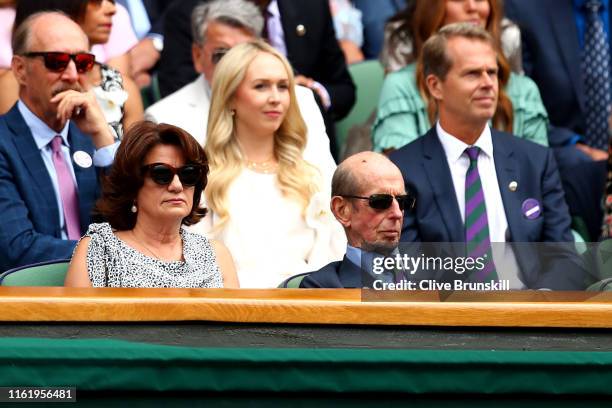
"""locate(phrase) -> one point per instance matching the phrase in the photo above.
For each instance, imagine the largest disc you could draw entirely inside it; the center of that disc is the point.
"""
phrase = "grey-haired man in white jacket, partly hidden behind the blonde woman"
(217, 26)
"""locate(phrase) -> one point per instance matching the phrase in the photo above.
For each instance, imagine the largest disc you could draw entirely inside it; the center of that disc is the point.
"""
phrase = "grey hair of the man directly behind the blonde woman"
(234, 13)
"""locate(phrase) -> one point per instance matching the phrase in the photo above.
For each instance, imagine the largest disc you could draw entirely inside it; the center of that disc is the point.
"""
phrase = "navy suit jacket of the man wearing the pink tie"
(30, 230)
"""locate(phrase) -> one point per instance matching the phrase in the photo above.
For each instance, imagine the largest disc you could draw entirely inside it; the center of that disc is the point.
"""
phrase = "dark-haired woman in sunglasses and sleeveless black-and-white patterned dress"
(153, 188)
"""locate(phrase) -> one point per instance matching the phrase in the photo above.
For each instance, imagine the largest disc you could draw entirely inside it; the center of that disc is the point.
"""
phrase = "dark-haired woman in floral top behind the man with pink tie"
(117, 95)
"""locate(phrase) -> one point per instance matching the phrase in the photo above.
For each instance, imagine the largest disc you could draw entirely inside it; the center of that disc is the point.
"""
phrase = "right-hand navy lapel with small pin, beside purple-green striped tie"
(506, 167)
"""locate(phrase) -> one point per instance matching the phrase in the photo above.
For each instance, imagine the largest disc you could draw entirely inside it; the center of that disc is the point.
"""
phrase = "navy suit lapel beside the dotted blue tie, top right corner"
(564, 25)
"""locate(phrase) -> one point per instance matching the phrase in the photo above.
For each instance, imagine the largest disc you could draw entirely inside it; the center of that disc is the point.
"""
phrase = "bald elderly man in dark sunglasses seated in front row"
(369, 200)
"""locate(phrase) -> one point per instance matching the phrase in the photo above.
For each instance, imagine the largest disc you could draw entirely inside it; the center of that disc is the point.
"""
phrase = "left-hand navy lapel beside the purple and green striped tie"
(441, 183)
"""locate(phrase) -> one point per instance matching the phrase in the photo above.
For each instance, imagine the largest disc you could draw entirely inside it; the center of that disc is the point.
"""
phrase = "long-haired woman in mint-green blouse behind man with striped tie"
(406, 111)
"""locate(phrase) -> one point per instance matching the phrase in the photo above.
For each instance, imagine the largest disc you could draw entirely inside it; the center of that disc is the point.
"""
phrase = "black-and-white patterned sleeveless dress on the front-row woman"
(112, 263)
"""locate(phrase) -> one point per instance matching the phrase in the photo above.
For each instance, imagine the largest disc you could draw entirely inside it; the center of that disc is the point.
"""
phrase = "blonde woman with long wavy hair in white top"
(269, 206)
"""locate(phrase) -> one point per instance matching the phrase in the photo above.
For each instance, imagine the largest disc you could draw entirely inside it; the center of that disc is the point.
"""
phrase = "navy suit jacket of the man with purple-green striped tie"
(436, 217)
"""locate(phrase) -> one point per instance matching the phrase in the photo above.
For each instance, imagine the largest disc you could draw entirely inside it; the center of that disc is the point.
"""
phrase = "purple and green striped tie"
(476, 223)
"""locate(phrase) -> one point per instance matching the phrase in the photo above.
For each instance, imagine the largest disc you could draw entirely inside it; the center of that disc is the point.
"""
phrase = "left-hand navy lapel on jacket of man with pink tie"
(30, 155)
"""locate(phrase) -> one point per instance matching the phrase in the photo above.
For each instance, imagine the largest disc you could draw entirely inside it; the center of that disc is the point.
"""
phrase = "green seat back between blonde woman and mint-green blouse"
(368, 77)
